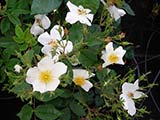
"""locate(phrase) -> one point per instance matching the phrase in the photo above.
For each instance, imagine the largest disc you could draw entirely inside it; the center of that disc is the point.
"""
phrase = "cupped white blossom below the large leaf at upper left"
(41, 22)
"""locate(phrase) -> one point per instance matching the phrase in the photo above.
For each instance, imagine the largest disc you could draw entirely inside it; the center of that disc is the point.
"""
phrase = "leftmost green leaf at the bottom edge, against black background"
(25, 113)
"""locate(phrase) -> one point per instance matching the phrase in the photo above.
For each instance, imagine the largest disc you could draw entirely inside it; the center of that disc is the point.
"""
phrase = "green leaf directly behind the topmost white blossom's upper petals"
(88, 4)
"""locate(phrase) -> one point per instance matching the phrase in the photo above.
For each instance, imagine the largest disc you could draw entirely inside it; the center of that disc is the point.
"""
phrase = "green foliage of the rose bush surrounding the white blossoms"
(68, 101)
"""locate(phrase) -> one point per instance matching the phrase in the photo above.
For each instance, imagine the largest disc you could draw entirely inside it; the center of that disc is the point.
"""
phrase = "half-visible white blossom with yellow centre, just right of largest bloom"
(80, 77)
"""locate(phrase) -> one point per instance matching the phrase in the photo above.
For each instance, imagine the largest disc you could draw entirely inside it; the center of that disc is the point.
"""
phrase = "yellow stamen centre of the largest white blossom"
(46, 76)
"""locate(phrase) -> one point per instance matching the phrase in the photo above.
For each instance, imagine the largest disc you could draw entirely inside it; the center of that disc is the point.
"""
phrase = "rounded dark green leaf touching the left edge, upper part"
(5, 25)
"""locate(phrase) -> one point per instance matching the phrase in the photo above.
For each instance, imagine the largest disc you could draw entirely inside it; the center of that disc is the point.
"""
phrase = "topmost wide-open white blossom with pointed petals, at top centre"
(78, 14)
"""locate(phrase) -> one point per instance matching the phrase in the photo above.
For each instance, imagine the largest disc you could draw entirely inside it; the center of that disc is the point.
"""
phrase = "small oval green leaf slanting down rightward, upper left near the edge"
(14, 19)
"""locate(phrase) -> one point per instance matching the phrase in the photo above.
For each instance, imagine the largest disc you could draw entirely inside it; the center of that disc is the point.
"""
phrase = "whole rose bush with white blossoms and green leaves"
(69, 60)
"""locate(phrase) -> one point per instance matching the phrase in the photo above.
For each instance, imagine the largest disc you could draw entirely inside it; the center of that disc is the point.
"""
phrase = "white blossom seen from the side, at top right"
(115, 12)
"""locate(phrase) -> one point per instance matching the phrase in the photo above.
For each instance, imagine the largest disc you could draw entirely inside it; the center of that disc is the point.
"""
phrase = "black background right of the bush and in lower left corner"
(144, 31)
